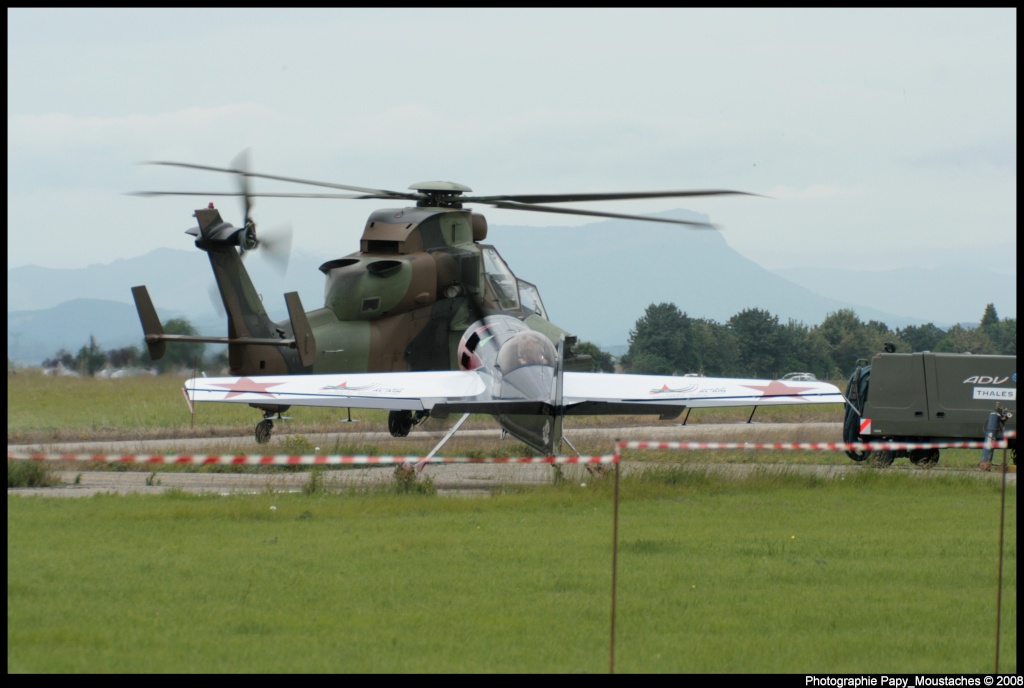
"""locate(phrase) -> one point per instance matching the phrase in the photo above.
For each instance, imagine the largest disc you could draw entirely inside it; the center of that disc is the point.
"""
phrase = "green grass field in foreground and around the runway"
(877, 573)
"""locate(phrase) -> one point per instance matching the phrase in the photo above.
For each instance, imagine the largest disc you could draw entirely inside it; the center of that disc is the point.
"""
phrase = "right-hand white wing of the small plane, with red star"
(595, 394)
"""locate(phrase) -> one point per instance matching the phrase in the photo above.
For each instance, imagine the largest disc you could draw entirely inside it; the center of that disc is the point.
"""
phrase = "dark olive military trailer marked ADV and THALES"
(928, 398)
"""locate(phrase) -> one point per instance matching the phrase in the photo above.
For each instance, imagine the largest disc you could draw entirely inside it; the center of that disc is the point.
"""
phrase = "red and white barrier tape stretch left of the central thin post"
(301, 460)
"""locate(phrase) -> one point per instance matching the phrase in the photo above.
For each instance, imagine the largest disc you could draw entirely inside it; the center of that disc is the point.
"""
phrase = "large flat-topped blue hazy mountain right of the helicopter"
(596, 281)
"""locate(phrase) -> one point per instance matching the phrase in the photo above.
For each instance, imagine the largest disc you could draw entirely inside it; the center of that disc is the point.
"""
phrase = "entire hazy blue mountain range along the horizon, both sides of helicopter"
(596, 281)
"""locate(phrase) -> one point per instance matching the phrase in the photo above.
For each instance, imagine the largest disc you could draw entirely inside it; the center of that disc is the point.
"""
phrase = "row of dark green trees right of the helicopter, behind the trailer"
(755, 345)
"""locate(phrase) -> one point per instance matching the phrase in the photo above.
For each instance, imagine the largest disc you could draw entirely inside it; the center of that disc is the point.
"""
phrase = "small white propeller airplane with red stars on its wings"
(515, 374)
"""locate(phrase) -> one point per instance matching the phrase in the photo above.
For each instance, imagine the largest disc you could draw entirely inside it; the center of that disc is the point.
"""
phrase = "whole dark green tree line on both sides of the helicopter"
(667, 341)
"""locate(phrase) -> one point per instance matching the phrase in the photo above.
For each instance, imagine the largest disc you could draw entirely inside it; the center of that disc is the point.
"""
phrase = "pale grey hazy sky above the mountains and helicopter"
(885, 138)
